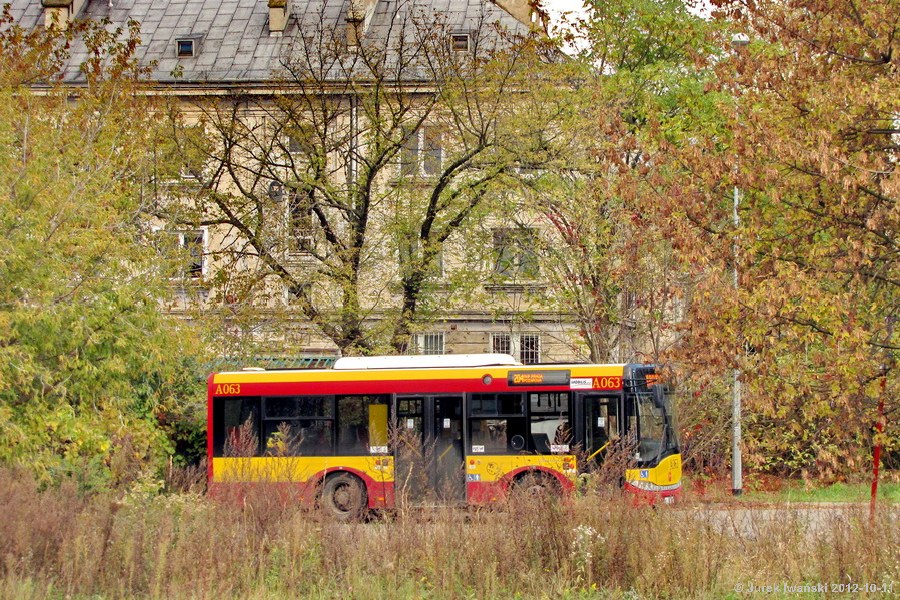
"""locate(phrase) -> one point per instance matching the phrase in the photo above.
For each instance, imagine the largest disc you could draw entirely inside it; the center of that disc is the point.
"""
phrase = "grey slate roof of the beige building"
(233, 37)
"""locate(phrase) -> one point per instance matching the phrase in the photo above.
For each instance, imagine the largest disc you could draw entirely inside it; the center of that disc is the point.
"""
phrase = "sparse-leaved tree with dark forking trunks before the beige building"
(361, 167)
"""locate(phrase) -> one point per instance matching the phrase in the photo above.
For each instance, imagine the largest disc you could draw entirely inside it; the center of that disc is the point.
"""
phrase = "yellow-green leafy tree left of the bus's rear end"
(86, 356)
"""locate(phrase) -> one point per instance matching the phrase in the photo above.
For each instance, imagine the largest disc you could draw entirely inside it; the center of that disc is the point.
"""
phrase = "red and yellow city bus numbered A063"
(463, 428)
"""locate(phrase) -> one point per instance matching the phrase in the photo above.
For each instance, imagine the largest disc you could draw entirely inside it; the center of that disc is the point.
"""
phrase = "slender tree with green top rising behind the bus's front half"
(610, 261)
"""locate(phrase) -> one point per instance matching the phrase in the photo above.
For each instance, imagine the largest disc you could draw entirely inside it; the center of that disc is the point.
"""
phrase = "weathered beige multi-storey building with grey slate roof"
(259, 63)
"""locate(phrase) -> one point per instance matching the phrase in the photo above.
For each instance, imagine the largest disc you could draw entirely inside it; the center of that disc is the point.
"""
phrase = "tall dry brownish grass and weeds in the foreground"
(58, 543)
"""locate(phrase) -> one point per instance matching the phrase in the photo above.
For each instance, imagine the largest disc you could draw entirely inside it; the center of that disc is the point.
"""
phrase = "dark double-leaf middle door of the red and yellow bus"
(427, 436)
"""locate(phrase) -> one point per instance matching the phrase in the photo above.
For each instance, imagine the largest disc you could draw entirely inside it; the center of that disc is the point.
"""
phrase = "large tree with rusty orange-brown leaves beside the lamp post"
(810, 152)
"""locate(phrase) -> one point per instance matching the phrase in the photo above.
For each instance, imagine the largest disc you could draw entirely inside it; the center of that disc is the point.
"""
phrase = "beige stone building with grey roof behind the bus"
(486, 291)
